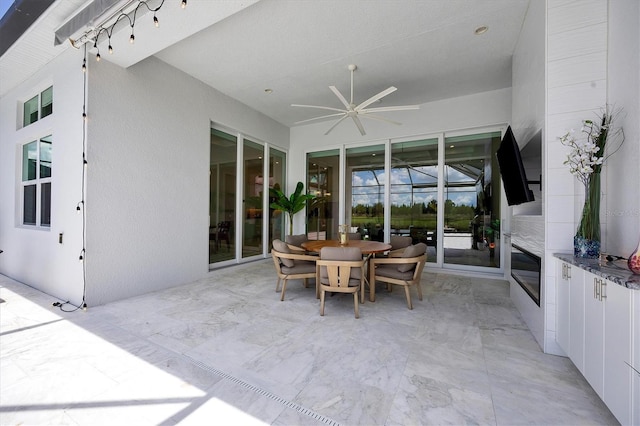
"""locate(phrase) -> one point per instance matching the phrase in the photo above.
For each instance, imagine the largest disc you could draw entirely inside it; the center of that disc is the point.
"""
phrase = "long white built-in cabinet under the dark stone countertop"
(598, 326)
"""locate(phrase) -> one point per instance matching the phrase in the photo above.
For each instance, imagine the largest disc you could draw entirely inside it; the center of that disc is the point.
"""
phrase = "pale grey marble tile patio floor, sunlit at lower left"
(226, 350)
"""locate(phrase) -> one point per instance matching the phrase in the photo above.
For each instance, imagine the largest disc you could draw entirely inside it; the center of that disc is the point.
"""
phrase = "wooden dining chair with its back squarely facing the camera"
(340, 270)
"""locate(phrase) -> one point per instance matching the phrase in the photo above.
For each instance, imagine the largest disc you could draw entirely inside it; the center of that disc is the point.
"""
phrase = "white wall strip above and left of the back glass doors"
(479, 110)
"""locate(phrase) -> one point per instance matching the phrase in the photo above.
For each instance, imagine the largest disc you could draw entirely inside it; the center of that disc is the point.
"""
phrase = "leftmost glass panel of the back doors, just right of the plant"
(323, 179)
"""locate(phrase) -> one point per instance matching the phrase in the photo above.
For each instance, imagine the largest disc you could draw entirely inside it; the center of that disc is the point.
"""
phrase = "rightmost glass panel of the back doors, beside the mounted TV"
(472, 201)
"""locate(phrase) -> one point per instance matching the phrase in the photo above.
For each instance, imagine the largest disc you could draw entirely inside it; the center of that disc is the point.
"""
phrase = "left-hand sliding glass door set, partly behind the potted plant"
(238, 227)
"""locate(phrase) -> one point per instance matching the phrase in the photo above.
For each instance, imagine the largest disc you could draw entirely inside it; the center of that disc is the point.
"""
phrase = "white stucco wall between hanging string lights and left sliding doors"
(148, 180)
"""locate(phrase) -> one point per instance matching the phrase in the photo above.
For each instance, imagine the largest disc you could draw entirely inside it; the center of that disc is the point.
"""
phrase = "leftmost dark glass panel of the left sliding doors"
(222, 196)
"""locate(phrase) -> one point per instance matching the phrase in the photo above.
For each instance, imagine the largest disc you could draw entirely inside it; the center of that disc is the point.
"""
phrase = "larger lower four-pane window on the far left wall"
(36, 182)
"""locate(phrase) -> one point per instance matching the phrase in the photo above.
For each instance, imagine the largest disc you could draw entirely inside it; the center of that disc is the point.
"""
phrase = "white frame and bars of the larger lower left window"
(38, 182)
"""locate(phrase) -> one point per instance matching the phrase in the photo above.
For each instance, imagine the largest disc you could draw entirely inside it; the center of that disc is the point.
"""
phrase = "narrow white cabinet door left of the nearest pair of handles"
(593, 334)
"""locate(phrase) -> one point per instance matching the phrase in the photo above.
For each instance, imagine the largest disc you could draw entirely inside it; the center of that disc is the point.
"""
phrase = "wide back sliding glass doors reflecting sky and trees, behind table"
(442, 190)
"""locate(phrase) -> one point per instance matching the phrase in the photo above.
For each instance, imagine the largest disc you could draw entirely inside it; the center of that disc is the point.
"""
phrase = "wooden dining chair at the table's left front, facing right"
(290, 265)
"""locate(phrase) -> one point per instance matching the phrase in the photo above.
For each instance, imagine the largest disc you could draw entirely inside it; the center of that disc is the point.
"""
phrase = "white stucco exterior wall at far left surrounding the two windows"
(34, 256)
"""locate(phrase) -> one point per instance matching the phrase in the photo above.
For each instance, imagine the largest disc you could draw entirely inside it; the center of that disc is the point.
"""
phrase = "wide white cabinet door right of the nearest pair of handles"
(618, 377)
